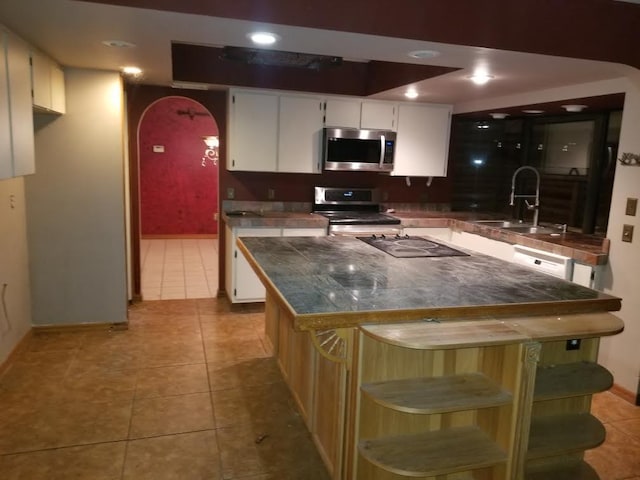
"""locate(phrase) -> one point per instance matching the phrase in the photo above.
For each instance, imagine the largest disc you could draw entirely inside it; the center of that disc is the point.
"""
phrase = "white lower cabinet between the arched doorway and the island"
(245, 286)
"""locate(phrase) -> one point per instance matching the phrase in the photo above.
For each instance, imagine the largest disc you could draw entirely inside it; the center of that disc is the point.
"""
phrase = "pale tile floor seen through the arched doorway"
(179, 268)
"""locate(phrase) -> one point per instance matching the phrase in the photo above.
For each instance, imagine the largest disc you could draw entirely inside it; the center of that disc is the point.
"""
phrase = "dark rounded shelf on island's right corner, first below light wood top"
(571, 379)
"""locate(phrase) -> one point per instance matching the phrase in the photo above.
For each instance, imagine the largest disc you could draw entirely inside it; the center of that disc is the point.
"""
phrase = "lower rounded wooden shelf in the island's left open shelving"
(433, 453)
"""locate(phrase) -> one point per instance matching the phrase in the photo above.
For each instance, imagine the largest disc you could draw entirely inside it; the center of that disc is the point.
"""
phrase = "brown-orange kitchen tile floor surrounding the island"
(186, 393)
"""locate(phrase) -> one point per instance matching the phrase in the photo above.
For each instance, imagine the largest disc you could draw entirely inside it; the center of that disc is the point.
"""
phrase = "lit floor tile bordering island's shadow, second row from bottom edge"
(167, 415)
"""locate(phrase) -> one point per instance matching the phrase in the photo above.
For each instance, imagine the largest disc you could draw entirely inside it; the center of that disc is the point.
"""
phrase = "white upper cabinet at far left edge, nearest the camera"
(16, 115)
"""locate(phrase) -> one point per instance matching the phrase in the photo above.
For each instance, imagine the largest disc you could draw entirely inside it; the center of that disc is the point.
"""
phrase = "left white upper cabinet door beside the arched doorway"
(253, 132)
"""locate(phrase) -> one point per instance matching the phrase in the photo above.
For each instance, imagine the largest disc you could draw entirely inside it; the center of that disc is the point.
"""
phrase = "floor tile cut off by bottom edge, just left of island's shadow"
(189, 456)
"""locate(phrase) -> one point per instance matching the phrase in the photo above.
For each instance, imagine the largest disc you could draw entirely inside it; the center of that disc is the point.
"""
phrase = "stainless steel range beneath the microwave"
(354, 211)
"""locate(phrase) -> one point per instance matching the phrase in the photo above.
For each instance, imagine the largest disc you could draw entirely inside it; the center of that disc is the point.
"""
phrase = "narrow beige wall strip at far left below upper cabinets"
(14, 266)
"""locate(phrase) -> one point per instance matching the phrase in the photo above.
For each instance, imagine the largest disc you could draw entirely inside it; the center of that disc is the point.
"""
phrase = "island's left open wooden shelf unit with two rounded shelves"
(425, 412)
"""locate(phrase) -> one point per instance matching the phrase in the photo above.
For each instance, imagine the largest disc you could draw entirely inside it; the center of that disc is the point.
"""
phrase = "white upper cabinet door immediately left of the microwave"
(300, 129)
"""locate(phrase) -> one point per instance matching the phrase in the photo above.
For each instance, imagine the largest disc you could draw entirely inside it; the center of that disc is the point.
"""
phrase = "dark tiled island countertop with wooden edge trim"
(330, 282)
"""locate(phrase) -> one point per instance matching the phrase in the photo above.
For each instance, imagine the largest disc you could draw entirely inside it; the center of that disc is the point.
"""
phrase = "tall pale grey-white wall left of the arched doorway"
(75, 206)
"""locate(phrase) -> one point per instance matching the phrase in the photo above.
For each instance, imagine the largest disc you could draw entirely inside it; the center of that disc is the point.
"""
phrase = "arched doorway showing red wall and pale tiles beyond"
(178, 195)
